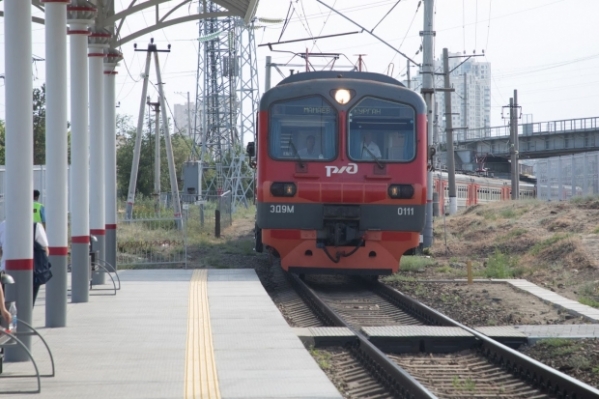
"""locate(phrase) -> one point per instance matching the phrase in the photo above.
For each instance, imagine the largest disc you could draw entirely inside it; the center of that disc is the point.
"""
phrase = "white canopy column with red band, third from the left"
(79, 17)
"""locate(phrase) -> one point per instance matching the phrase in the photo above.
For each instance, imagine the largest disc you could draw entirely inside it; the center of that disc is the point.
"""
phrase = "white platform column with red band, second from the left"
(56, 159)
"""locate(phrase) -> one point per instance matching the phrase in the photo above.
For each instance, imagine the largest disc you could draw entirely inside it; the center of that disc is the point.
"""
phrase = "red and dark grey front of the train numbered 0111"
(341, 183)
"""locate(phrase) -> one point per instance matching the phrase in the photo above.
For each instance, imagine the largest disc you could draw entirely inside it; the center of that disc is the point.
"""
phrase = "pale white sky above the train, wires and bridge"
(545, 49)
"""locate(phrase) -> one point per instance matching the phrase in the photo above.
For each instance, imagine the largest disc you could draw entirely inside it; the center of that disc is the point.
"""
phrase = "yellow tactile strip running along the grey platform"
(201, 379)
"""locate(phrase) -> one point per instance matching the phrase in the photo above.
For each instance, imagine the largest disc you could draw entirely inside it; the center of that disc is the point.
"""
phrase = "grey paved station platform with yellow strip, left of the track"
(174, 334)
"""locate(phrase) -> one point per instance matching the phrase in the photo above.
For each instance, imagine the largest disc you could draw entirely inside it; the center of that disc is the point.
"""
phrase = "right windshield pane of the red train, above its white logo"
(380, 130)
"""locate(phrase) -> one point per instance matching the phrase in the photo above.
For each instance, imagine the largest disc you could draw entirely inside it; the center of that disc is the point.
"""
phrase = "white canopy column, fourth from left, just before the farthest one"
(98, 41)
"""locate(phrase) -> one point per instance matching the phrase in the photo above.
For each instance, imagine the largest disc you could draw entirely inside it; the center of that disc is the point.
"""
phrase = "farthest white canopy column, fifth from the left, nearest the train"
(110, 63)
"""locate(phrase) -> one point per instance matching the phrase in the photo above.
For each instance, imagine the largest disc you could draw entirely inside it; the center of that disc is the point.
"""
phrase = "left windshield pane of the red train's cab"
(303, 128)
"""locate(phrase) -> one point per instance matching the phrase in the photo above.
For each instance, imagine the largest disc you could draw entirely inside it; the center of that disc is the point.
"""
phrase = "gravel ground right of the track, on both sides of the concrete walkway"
(484, 304)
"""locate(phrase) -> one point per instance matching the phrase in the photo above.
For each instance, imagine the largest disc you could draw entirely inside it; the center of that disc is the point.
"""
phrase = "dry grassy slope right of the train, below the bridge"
(540, 241)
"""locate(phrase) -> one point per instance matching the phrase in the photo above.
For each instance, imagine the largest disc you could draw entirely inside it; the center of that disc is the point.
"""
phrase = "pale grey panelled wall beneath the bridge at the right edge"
(561, 178)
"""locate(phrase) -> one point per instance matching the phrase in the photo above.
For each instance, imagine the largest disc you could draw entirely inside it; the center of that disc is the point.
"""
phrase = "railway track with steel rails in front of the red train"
(488, 370)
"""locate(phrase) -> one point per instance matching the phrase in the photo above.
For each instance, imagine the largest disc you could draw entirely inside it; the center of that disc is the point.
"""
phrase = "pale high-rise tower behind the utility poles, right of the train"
(471, 100)
